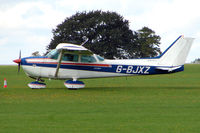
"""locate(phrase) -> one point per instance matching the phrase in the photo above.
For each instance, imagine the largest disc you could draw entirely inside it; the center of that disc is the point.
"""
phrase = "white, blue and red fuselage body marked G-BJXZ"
(44, 67)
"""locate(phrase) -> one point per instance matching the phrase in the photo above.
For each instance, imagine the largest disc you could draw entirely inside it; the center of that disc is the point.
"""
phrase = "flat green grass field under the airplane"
(143, 104)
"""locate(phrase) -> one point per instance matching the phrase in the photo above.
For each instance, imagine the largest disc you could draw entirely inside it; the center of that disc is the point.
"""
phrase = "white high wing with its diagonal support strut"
(70, 48)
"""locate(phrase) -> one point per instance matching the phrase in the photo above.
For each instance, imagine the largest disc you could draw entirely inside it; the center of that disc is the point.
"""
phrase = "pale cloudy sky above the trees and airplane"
(27, 25)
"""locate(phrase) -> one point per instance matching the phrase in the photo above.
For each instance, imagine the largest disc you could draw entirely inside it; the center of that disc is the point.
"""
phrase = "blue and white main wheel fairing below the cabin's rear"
(74, 84)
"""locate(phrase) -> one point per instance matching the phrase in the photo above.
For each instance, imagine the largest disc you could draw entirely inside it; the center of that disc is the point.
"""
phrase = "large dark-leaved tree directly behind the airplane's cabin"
(108, 34)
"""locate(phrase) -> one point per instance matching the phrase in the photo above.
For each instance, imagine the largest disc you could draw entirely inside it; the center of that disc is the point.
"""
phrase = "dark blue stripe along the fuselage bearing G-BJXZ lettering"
(124, 69)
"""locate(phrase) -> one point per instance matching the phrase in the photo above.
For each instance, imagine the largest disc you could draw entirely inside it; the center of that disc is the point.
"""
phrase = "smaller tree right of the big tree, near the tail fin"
(147, 43)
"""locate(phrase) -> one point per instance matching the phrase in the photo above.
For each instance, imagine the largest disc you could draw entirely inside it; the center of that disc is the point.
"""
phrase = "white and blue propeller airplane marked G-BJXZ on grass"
(73, 62)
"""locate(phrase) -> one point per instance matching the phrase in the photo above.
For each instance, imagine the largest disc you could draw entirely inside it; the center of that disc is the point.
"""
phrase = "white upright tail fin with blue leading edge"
(177, 52)
